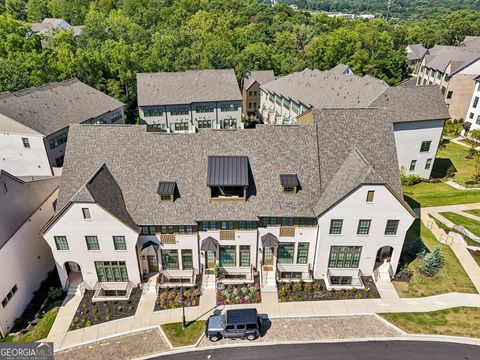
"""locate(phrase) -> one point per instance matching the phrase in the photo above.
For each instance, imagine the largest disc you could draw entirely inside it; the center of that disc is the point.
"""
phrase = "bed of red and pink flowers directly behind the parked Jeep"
(238, 294)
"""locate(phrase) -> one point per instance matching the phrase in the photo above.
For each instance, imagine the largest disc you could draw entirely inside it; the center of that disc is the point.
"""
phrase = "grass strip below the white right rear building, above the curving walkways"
(437, 194)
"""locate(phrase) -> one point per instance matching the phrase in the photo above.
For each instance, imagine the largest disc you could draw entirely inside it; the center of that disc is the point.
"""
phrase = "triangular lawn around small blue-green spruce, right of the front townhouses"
(451, 278)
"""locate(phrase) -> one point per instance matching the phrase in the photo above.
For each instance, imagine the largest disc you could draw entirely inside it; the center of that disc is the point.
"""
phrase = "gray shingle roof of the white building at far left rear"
(52, 107)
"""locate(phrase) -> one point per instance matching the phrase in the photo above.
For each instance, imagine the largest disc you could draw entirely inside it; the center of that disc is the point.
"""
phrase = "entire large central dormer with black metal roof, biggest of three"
(227, 177)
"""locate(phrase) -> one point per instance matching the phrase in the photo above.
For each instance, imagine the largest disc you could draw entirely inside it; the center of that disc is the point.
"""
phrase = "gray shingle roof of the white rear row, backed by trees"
(173, 88)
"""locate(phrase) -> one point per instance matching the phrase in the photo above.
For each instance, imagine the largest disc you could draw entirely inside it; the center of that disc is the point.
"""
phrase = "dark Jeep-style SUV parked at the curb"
(235, 324)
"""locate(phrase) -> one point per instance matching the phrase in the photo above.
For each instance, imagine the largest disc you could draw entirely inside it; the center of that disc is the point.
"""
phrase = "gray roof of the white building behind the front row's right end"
(407, 103)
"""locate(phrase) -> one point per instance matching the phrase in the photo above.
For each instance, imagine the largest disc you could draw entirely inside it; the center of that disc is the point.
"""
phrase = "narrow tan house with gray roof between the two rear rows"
(251, 82)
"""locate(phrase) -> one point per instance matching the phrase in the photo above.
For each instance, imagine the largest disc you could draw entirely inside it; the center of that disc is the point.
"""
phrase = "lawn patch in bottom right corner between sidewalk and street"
(461, 321)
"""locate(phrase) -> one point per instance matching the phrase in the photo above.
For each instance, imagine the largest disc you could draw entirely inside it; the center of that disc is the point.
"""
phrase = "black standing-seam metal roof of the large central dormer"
(227, 171)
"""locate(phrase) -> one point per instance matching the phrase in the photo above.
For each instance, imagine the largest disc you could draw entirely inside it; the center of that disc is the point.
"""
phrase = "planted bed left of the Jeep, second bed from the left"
(171, 298)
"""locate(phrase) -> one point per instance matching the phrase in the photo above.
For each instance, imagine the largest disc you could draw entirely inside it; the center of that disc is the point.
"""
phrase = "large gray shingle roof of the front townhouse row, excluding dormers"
(132, 155)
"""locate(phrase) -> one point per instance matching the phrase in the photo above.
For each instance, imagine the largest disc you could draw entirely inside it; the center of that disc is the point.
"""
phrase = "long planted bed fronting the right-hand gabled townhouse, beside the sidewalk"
(317, 291)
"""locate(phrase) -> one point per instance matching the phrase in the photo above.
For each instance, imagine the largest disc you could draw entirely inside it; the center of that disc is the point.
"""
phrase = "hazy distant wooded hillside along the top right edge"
(399, 8)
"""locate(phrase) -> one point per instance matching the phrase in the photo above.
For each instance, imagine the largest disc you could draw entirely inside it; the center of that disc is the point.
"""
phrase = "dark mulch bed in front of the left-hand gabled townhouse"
(92, 313)
